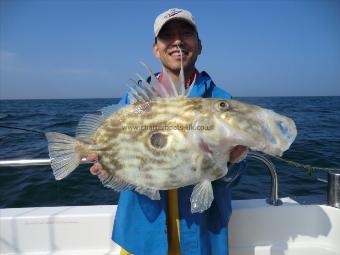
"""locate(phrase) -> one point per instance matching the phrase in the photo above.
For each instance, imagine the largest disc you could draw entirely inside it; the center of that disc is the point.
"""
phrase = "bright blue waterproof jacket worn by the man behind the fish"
(140, 223)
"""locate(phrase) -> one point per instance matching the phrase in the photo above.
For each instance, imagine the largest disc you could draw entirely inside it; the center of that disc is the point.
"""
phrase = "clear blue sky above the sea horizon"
(90, 49)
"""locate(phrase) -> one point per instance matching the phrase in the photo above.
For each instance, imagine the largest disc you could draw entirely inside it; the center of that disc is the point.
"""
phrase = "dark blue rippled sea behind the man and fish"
(317, 144)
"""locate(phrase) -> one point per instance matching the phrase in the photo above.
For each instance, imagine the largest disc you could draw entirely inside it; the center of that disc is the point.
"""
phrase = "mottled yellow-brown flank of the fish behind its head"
(130, 154)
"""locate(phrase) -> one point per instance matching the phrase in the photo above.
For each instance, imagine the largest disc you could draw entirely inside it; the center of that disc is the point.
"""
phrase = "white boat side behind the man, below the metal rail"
(255, 228)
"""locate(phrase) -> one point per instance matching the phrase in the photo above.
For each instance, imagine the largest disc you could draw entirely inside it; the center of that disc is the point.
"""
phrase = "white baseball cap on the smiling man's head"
(171, 14)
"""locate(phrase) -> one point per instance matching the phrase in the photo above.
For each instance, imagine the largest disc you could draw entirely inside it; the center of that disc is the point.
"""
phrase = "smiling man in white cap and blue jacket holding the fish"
(166, 226)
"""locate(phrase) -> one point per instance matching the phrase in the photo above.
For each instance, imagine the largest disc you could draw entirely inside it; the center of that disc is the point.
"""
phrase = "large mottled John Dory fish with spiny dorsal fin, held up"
(166, 140)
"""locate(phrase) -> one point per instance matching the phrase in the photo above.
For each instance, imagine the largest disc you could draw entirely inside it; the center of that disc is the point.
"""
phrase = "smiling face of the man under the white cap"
(181, 33)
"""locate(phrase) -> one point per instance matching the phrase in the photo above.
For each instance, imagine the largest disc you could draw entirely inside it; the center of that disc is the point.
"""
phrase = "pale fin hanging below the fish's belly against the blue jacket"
(201, 197)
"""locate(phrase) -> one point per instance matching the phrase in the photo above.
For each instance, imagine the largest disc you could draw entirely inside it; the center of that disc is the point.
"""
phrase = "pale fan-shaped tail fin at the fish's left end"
(64, 154)
